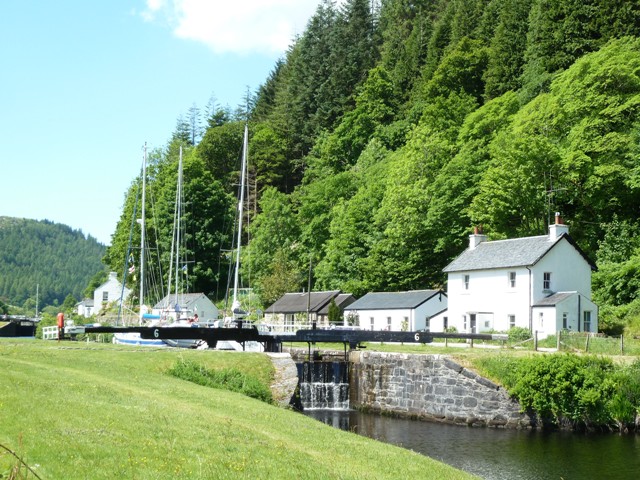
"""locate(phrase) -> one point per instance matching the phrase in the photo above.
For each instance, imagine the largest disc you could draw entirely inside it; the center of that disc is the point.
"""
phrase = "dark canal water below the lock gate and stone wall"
(497, 454)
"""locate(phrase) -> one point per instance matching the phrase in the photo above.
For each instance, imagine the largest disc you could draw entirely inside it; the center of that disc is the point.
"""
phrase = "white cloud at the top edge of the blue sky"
(234, 26)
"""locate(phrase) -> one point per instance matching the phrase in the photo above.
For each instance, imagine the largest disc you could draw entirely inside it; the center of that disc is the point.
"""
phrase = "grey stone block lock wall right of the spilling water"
(431, 387)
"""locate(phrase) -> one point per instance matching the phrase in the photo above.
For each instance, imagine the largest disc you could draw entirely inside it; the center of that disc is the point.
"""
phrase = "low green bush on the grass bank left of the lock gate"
(229, 379)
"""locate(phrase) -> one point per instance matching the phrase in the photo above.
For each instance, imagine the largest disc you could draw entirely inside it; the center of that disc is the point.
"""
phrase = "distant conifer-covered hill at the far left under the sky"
(58, 259)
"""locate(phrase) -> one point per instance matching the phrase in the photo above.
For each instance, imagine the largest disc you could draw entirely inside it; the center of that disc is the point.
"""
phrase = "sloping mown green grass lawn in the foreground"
(74, 410)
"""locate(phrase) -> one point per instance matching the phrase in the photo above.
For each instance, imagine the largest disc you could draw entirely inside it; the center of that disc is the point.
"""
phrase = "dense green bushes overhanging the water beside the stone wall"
(571, 390)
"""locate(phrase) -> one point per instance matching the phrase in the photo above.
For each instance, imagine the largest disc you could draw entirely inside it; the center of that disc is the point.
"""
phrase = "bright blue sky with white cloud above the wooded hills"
(85, 84)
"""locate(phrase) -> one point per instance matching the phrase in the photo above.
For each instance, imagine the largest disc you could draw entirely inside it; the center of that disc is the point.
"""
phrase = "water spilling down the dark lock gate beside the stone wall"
(324, 385)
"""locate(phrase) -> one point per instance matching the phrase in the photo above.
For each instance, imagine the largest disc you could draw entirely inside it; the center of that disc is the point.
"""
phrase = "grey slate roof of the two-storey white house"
(517, 252)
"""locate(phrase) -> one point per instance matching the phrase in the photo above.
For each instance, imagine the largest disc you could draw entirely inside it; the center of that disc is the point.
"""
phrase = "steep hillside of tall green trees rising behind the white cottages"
(390, 128)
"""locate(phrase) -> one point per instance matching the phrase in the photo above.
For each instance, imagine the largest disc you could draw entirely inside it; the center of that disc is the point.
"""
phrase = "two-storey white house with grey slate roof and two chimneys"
(541, 283)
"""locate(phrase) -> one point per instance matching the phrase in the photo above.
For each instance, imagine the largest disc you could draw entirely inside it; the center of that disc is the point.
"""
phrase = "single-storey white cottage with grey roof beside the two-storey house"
(398, 311)
